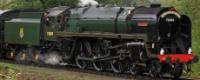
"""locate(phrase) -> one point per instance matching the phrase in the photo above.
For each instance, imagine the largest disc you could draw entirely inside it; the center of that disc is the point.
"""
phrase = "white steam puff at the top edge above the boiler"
(87, 2)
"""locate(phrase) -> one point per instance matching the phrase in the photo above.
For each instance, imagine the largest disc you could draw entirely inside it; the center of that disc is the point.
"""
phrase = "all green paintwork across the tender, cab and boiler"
(78, 20)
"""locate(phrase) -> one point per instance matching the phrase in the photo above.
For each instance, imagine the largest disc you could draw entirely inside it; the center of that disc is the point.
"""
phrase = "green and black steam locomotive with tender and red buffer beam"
(154, 40)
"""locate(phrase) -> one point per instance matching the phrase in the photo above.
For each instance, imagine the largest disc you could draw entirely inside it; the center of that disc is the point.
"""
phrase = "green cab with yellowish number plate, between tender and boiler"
(54, 26)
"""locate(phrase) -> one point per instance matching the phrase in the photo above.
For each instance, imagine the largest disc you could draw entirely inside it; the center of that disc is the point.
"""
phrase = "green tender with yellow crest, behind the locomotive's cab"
(25, 29)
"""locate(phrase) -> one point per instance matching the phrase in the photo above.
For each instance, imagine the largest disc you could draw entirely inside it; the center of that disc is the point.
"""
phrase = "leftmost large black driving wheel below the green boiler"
(84, 51)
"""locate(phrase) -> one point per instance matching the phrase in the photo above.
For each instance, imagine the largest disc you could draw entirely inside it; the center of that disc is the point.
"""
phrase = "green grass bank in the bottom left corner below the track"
(12, 72)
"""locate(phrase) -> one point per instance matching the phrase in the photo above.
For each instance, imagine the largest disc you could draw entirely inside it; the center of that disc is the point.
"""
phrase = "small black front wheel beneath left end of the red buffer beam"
(155, 69)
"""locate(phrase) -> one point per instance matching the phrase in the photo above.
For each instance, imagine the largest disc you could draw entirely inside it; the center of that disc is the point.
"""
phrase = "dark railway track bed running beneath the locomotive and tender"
(90, 71)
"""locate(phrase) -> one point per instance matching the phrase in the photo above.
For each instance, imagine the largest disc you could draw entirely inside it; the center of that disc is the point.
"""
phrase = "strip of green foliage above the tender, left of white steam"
(18, 4)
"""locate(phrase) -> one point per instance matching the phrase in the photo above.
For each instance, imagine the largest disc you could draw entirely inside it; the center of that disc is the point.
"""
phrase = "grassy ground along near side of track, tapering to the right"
(21, 72)
